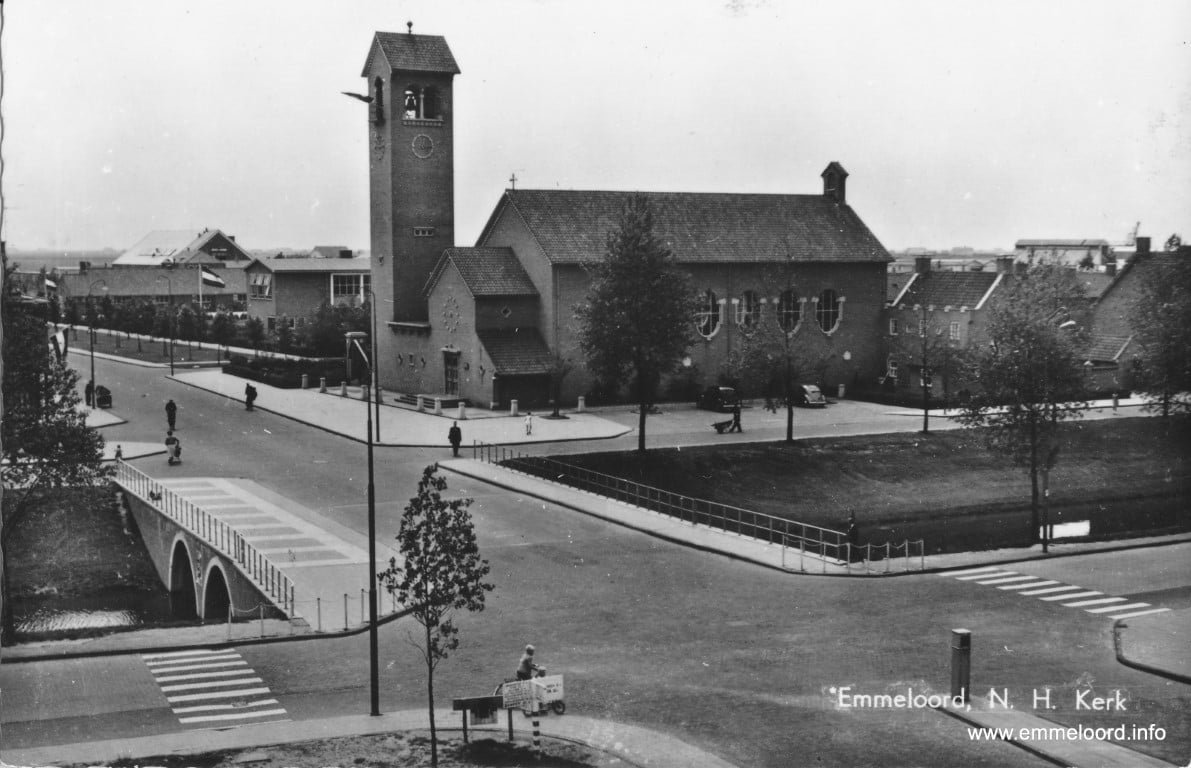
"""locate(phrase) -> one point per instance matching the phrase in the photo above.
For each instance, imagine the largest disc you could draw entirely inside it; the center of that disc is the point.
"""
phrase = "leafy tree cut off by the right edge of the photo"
(1162, 324)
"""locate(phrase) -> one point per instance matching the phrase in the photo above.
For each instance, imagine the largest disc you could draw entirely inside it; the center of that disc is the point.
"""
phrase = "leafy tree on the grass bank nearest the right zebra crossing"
(1030, 377)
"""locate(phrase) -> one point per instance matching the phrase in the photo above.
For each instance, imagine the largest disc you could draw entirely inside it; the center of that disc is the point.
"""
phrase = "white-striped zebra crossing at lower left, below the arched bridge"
(213, 688)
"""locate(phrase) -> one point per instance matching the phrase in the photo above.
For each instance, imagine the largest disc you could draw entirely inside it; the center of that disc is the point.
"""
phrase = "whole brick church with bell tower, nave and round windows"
(488, 323)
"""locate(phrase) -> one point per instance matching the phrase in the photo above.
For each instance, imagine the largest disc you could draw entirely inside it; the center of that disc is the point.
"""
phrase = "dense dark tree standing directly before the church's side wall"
(638, 320)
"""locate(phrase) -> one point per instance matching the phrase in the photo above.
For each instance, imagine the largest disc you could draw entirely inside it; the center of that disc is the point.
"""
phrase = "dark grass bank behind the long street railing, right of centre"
(1126, 476)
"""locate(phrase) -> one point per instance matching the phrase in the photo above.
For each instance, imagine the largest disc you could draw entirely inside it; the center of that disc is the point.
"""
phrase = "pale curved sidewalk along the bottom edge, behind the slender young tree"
(633, 745)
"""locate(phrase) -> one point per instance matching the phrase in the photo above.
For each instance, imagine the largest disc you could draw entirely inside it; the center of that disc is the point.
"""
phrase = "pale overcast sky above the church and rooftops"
(962, 123)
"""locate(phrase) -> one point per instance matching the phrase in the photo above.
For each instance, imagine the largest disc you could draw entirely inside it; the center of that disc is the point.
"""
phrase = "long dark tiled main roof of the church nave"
(710, 228)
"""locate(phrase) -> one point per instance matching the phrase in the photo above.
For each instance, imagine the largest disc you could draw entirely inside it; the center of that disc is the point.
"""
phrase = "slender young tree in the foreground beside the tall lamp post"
(441, 573)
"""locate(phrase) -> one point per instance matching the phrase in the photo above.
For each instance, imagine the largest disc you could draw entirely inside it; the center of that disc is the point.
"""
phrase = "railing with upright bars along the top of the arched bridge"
(222, 538)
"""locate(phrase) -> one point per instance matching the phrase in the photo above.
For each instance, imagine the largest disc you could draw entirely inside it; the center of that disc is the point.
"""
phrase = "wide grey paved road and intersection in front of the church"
(734, 659)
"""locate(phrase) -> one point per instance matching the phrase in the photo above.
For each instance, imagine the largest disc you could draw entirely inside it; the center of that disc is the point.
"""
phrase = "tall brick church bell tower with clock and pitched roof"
(411, 171)
